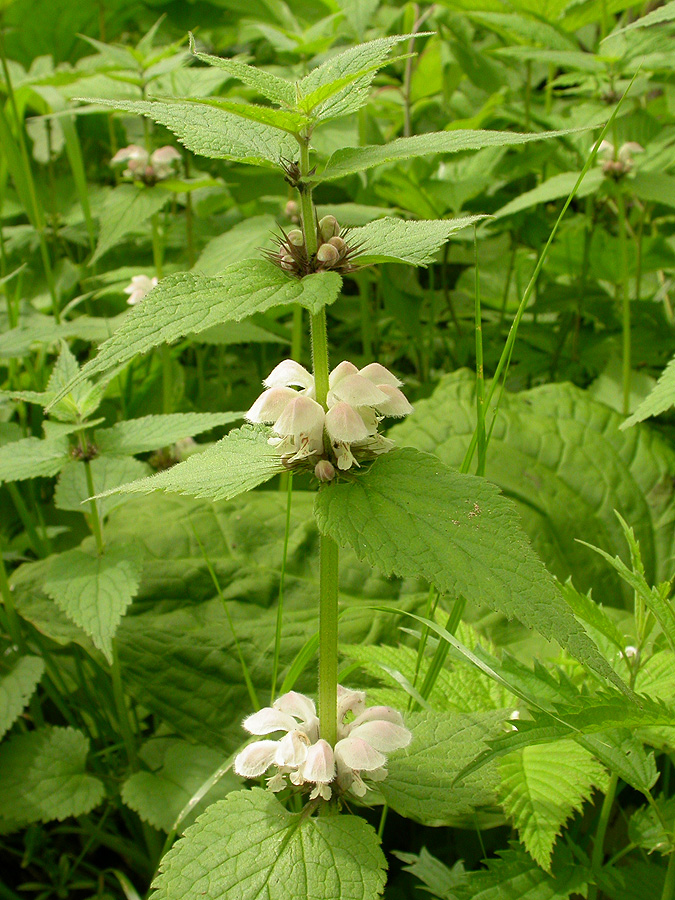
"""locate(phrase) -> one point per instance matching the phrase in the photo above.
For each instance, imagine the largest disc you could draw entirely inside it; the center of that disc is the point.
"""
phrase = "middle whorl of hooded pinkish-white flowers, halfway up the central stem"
(346, 433)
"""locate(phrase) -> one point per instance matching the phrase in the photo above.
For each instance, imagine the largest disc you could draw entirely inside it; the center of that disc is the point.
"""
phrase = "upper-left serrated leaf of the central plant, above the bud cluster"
(215, 133)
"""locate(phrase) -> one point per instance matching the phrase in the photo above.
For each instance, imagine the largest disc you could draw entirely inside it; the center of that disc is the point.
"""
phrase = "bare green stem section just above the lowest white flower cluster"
(328, 639)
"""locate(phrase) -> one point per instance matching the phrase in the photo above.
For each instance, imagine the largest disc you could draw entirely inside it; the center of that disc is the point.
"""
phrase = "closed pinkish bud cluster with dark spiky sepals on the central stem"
(333, 252)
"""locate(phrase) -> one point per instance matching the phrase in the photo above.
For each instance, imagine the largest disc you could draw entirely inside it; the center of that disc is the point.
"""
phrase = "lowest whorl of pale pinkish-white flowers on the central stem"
(365, 735)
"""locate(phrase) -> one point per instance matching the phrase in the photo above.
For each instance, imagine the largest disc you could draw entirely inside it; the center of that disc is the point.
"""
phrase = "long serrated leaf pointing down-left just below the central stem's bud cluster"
(188, 304)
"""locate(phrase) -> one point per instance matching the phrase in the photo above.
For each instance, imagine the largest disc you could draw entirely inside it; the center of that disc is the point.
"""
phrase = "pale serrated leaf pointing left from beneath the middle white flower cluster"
(239, 462)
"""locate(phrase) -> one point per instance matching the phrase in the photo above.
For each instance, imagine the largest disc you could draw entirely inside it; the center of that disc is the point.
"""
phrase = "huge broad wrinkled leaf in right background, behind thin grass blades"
(560, 456)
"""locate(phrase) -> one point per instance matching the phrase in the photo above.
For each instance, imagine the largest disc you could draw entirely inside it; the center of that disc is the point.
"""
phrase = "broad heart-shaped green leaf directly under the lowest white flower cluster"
(248, 846)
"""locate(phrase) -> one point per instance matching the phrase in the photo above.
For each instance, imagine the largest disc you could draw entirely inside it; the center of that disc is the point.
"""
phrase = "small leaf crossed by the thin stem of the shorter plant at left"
(108, 472)
